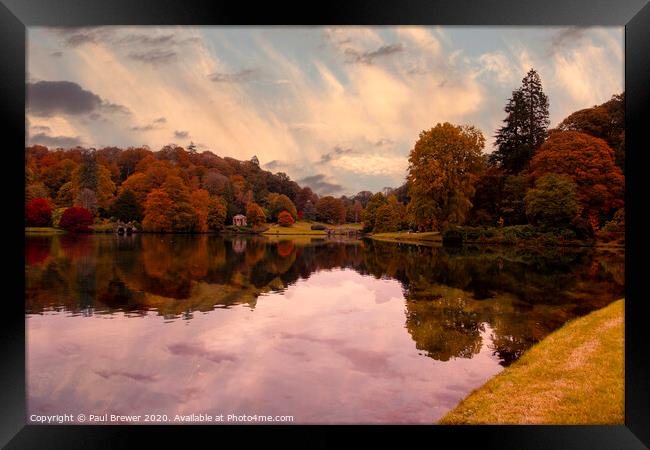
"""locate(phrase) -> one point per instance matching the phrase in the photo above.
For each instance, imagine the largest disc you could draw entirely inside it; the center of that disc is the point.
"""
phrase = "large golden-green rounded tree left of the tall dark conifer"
(443, 167)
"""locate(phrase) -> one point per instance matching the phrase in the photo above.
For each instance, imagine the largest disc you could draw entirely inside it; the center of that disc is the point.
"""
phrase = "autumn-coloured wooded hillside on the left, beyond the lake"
(170, 190)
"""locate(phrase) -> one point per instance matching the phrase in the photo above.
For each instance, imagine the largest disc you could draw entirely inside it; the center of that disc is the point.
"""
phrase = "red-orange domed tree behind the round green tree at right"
(587, 161)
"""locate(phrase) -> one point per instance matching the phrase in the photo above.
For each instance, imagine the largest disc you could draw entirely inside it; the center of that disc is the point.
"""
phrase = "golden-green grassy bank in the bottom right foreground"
(573, 376)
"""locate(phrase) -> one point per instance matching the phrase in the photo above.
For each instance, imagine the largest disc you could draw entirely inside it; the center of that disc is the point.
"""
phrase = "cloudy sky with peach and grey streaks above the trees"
(335, 108)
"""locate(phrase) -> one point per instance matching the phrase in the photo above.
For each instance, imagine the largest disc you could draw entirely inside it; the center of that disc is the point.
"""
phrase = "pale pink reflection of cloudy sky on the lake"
(324, 351)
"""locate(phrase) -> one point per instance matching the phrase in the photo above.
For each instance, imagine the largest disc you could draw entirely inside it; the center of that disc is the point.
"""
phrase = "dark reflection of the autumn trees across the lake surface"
(450, 293)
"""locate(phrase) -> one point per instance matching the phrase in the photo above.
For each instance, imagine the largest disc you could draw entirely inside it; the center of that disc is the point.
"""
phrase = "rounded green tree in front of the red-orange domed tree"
(553, 202)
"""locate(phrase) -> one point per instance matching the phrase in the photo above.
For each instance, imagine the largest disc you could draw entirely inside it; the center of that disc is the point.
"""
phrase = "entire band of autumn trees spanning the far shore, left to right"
(568, 178)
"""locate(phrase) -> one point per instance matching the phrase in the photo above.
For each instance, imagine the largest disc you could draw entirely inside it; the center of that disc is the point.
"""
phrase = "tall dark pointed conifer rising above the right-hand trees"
(526, 126)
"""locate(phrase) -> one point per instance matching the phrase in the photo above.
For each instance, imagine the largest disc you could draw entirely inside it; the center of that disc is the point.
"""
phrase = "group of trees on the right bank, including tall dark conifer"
(570, 177)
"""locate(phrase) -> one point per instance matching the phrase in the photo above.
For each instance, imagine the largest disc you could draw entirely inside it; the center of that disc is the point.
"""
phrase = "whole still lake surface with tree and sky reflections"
(324, 331)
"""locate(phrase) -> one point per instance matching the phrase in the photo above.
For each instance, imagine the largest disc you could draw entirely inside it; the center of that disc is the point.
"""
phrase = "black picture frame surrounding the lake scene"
(16, 15)
